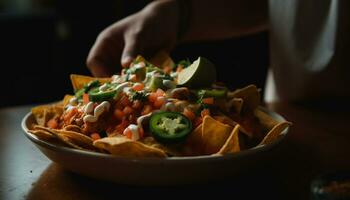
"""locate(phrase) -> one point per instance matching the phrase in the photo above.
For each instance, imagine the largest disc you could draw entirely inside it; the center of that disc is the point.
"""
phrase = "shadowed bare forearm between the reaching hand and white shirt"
(220, 19)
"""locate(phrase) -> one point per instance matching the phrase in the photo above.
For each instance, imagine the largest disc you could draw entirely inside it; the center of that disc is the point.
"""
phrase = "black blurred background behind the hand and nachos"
(43, 41)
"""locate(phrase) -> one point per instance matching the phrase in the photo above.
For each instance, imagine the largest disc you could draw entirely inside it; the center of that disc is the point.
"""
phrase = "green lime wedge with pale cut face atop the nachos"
(200, 73)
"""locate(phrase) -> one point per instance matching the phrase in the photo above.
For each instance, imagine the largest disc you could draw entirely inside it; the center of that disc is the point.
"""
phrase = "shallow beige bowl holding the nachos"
(154, 171)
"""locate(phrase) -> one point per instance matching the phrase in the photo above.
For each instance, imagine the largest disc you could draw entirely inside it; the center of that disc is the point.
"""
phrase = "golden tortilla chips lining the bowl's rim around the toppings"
(216, 135)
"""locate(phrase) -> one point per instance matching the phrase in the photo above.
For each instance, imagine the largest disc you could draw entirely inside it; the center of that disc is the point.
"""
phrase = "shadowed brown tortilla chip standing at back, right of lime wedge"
(249, 94)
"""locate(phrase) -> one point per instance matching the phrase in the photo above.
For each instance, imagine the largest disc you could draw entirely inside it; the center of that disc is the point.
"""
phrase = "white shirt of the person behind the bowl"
(309, 49)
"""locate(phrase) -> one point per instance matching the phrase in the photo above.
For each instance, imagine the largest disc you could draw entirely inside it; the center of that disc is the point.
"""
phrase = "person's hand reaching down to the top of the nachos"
(152, 29)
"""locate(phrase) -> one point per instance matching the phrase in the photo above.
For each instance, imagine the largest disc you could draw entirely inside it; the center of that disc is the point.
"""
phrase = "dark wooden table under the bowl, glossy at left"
(318, 142)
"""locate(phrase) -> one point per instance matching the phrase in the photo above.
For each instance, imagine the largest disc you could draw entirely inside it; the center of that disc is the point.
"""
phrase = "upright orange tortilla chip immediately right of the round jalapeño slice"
(214, 134)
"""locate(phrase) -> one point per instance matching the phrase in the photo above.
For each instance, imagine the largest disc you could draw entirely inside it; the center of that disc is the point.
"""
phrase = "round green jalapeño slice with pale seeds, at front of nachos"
(169, 127)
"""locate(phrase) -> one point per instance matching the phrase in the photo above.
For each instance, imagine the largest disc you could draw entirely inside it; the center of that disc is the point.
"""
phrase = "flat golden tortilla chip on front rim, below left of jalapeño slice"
(125, 147)
